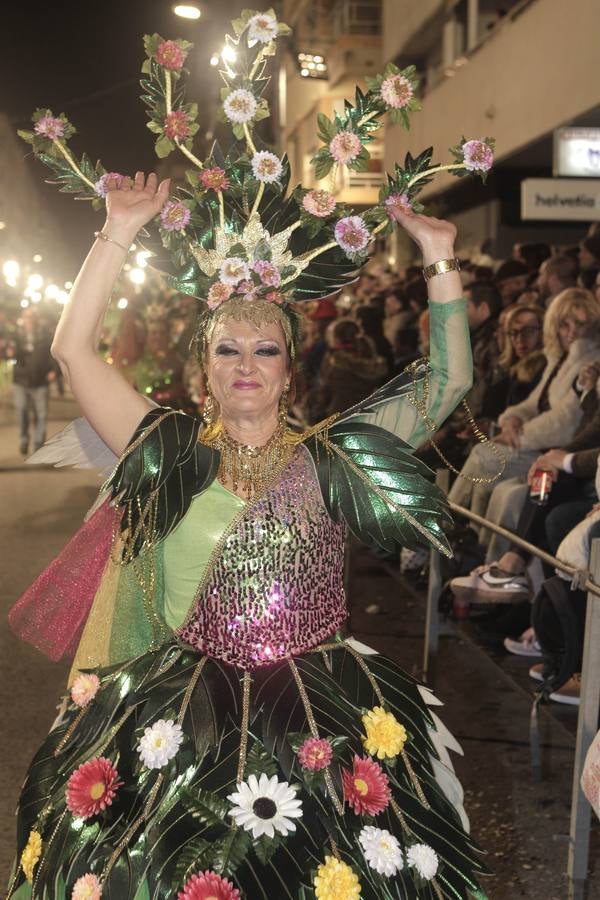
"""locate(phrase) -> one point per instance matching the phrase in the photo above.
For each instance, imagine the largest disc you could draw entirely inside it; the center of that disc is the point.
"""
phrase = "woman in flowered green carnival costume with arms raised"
(221, 738)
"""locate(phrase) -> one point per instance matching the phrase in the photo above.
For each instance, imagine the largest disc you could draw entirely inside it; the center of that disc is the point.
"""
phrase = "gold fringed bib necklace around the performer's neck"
(251, 468)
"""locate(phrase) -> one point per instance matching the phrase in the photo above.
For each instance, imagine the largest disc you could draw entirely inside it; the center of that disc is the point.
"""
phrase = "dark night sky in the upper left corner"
(83, 59)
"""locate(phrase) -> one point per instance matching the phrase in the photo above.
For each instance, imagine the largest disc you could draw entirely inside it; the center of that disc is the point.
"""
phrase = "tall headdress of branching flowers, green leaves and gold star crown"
(235, 235)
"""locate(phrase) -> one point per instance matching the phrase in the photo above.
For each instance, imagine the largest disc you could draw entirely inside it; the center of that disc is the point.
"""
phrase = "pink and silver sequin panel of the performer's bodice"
(276, 589)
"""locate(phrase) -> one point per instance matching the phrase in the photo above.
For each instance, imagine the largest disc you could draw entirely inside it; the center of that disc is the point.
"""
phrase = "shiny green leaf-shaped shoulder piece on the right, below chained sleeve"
(370, 479)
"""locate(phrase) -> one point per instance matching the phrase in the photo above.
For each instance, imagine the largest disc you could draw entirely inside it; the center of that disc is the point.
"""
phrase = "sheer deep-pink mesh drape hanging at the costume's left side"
(52, 612)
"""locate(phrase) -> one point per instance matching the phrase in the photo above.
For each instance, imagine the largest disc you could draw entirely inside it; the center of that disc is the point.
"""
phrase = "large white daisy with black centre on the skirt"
(265, 806)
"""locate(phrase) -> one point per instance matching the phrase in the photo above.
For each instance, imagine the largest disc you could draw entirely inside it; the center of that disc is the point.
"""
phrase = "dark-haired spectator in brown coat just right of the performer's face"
(350, 370)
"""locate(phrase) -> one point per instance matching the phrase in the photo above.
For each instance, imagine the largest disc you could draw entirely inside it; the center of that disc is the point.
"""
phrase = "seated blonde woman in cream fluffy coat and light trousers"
(549, 416)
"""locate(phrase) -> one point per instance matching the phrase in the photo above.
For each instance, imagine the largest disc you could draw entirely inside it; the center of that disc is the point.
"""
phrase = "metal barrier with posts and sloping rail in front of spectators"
(589, 704)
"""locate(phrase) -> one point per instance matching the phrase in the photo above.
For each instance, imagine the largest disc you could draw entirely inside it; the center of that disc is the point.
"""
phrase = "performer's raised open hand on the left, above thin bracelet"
(129, 207)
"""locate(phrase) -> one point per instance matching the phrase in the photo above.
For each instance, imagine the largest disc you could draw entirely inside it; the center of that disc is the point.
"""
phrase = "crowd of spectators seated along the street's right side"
(534, 322)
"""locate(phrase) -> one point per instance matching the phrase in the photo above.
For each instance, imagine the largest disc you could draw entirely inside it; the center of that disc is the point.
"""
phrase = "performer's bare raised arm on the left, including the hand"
(111, 406)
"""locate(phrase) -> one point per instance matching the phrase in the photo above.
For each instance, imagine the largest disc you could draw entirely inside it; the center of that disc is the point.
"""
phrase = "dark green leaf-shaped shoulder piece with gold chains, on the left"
(162, 470)
